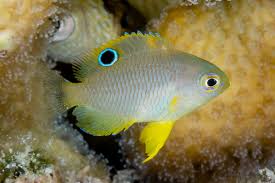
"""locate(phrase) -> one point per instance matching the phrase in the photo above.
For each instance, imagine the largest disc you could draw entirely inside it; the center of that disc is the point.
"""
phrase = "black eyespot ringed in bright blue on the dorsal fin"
(108, 57)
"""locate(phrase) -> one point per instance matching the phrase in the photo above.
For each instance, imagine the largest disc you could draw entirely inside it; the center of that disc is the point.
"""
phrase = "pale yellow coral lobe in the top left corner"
(21, 18)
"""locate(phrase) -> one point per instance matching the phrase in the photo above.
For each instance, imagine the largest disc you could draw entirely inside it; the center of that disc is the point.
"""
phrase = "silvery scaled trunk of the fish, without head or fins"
(141, 88)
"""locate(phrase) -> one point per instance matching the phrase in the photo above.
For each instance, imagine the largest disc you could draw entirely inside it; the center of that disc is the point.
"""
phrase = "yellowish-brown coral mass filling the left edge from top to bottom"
(34, 145)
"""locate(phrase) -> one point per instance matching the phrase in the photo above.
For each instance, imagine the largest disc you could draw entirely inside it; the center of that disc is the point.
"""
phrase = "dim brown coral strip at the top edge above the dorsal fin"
(153, 8)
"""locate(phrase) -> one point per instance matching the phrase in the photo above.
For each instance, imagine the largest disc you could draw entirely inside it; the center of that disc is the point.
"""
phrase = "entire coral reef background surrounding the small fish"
(231, 139)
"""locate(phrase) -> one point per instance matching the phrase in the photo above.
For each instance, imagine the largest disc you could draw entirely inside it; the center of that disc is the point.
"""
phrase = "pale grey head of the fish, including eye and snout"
(199, 81)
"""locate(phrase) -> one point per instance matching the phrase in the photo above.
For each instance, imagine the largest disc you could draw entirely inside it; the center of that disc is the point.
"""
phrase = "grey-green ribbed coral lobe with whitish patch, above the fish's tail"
(80, 26)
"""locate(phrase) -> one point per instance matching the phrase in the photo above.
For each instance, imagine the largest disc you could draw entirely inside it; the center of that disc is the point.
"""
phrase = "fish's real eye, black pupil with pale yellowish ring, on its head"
(210, 82)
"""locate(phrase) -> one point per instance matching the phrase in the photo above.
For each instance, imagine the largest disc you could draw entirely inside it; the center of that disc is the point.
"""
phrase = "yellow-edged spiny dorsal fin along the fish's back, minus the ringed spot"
(126, 45)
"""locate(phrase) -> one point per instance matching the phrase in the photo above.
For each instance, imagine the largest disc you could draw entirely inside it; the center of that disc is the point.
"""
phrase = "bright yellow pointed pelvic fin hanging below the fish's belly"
(154, 135)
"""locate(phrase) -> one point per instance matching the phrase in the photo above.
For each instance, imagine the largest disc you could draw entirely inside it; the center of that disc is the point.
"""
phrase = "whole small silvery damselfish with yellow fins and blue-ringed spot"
(139, 78)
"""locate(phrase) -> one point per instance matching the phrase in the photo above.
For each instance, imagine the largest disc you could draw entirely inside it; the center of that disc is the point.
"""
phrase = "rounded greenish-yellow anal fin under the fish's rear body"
(98, 123)
